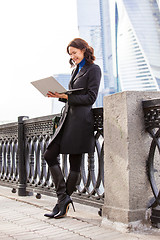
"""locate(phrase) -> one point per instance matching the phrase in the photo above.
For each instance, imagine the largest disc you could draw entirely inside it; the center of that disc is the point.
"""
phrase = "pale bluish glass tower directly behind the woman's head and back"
(89, 26)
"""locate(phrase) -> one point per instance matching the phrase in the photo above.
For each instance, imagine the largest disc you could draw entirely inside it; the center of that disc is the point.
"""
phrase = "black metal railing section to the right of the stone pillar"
(152, 124)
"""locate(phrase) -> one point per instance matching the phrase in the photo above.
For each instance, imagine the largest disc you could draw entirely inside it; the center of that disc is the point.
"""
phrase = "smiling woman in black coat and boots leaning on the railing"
(75, 134)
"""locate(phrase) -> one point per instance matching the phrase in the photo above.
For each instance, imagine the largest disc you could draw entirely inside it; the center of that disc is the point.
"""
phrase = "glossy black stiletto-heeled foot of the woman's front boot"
(64, 206)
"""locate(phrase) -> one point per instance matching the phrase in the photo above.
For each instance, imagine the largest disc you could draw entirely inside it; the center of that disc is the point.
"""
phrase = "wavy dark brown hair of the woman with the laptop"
(82, 44)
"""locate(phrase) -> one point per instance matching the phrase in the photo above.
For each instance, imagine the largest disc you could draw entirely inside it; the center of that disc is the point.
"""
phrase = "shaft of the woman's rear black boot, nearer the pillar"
(72, 182)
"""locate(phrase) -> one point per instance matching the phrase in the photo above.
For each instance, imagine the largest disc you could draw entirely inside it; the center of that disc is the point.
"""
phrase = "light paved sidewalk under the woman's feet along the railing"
(21, 218)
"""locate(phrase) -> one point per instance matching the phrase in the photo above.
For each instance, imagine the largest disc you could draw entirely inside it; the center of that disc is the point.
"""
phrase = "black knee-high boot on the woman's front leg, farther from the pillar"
(64, 200)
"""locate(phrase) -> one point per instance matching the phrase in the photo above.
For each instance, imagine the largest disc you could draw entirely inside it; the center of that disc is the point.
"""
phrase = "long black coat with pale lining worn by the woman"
(77, 122)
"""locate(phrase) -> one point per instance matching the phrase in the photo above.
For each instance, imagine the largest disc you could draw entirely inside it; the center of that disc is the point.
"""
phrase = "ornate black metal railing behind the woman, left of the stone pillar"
(22, 165)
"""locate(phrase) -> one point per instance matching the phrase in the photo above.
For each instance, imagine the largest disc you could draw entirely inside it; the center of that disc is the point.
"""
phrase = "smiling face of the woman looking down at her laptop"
(76, 54)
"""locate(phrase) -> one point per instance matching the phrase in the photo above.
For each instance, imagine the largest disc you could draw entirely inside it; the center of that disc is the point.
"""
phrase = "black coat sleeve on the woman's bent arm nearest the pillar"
(89, 98)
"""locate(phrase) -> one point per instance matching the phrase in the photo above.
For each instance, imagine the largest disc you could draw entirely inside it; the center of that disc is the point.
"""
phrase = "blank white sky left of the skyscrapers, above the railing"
(34, 37)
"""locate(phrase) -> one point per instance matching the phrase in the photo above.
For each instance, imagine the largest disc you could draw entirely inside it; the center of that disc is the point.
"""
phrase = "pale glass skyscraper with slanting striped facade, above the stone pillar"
(136, 45)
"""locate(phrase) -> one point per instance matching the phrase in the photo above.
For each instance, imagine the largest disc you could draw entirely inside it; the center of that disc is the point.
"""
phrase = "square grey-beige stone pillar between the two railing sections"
(126, 148)
